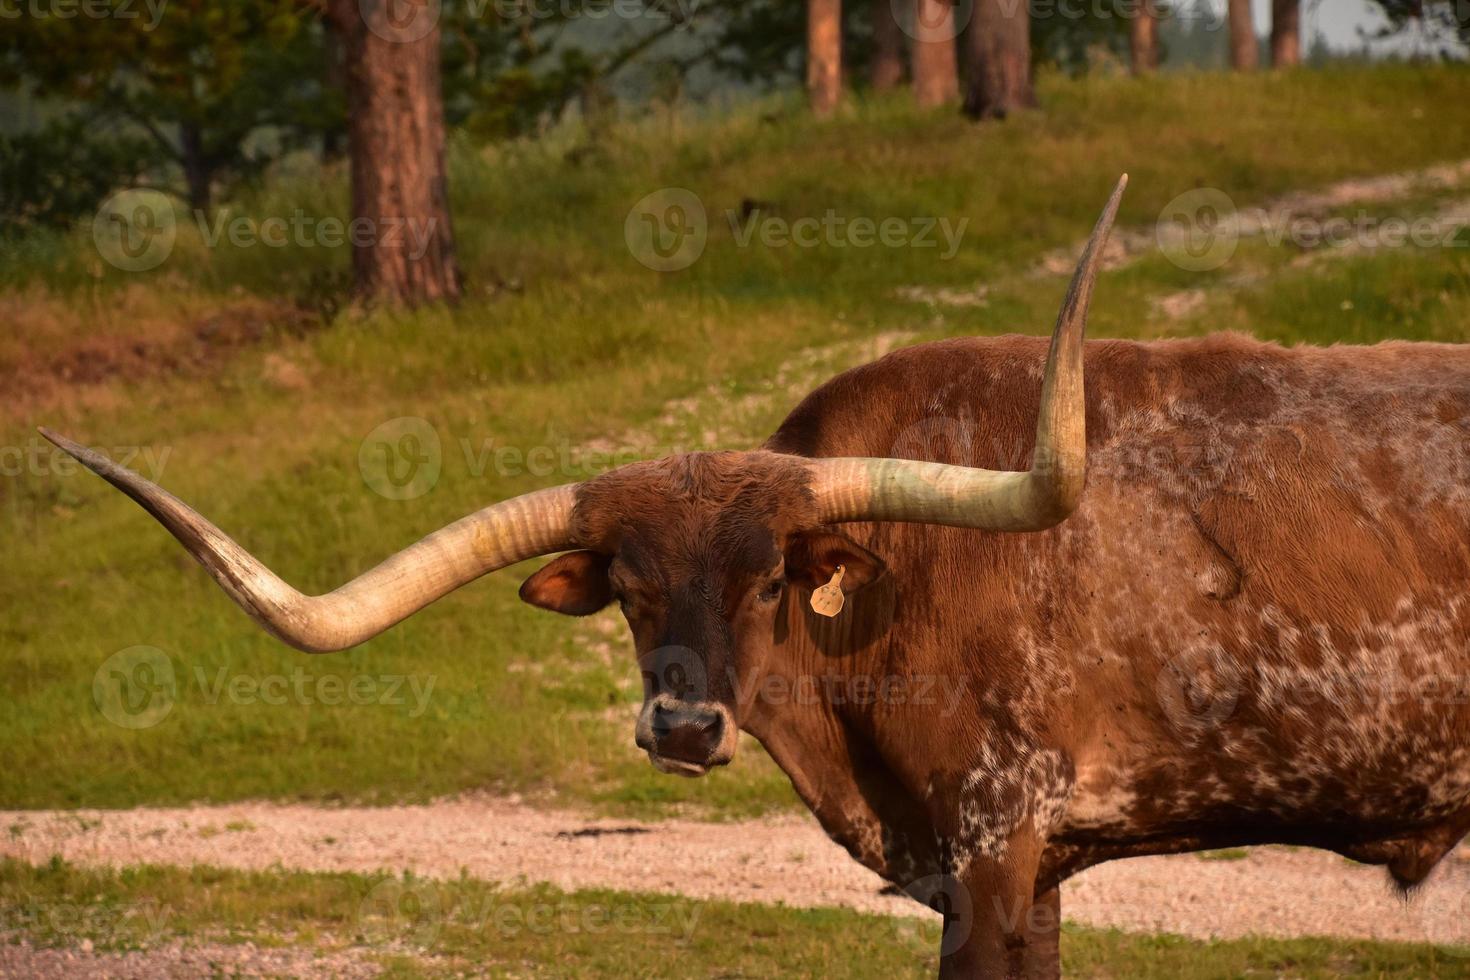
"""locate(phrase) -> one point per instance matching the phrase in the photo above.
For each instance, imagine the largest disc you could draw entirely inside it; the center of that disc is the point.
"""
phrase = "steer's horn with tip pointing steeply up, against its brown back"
(993, 500)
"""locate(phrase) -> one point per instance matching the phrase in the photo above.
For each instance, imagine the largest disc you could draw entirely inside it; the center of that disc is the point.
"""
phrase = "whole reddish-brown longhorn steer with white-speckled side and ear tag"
(1252, 628)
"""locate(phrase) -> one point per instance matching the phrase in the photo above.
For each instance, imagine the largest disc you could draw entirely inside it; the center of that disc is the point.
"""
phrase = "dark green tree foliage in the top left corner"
(202, 80)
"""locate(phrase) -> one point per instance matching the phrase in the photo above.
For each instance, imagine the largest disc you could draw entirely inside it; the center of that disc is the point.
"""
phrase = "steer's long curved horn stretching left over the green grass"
(492, 538)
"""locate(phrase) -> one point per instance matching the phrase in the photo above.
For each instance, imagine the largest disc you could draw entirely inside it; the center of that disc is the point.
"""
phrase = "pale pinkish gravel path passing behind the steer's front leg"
(1266, 893)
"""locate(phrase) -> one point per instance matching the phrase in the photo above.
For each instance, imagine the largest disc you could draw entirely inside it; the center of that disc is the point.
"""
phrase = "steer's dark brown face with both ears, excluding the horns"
(702, 559)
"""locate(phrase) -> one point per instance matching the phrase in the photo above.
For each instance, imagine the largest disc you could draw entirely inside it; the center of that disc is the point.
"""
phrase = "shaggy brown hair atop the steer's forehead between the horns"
(736, 505)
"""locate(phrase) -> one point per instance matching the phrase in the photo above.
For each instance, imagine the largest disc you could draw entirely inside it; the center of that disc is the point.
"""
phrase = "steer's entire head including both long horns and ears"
(700, 550)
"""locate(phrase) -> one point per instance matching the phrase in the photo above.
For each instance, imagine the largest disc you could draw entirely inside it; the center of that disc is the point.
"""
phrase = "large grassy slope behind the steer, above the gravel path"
(565, 340)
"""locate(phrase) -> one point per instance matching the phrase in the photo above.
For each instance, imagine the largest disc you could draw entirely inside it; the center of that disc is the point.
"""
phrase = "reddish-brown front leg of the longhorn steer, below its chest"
(1003, 932)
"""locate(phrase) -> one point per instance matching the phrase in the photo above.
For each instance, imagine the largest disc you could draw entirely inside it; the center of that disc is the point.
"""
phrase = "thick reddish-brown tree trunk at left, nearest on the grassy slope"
(404, 242)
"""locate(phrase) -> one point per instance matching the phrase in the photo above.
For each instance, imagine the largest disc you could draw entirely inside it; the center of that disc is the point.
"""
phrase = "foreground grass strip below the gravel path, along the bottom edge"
(423, 928)
